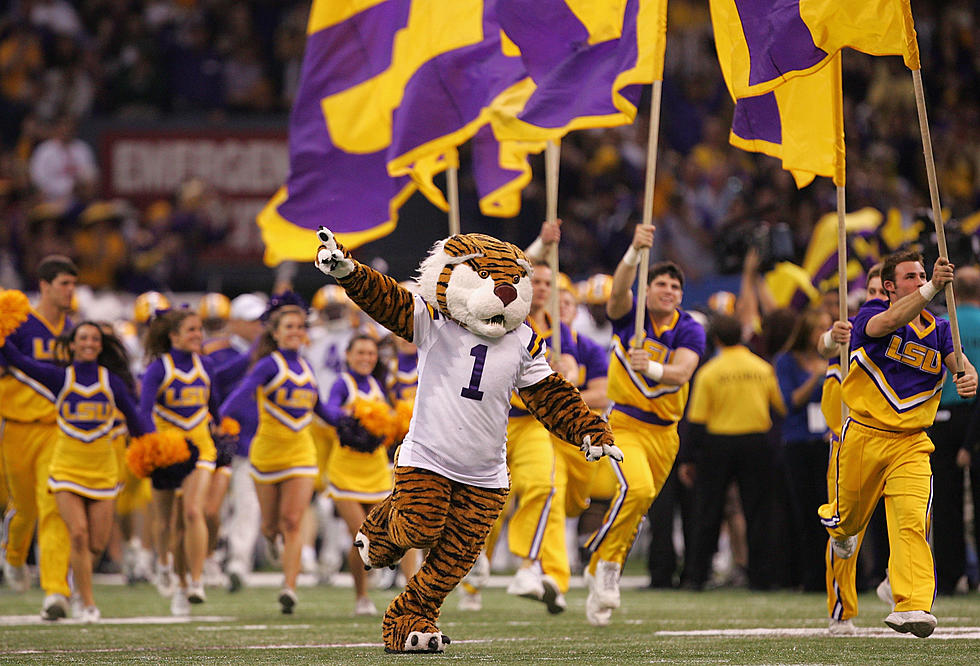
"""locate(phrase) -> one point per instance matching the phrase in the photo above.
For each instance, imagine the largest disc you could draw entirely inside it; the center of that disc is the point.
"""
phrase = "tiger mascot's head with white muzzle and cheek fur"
(479, 281)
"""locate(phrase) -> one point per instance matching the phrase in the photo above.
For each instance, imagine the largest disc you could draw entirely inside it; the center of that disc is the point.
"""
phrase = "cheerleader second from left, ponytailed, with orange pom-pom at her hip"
(177, 395)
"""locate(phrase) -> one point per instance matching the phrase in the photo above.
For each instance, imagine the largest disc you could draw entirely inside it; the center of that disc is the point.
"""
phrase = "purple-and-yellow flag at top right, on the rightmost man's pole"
(769, 42)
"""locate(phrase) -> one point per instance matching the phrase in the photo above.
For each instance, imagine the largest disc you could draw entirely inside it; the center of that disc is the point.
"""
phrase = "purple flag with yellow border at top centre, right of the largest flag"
(586, 63)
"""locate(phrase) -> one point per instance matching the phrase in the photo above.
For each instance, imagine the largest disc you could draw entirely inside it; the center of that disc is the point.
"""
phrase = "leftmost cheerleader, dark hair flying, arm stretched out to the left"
(84, 474)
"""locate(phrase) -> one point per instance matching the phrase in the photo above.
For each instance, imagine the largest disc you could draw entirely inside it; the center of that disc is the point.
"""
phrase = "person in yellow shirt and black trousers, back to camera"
(732, 400)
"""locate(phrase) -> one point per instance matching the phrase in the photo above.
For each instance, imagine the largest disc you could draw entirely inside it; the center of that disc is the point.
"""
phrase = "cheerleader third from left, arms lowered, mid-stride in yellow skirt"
(283, 454)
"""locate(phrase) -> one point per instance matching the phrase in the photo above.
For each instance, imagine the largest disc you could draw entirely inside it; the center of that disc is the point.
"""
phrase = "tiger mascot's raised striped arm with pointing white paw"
(385, 301)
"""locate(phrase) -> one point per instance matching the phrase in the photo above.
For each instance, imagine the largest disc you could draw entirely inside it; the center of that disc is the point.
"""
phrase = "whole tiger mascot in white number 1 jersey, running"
(451, 478)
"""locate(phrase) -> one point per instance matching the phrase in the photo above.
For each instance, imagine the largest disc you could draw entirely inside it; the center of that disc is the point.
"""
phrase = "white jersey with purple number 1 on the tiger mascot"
(459, 426)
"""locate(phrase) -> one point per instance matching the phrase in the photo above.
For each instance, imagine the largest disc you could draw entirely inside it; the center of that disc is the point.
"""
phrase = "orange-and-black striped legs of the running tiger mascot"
(427, 510)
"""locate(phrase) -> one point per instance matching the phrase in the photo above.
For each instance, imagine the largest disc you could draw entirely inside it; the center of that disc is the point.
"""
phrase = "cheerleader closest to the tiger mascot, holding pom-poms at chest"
(358, 471)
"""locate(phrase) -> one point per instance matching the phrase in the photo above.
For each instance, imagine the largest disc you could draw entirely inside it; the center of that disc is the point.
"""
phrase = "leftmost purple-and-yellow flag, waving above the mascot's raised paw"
(387, 90)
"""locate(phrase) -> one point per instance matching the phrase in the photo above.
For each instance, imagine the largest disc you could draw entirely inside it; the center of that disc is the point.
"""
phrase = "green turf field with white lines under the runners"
(508, 630)
